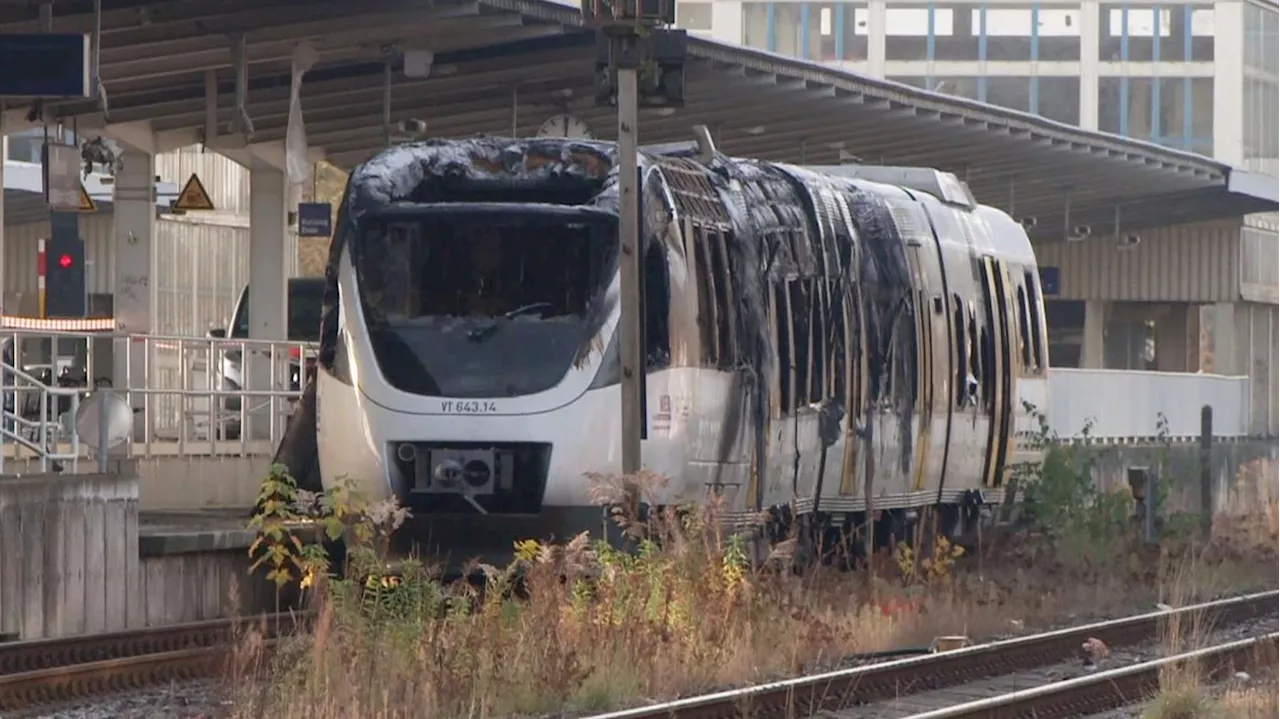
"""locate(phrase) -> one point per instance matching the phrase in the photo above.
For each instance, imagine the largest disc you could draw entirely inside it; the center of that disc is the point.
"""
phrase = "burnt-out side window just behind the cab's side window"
(715, 303)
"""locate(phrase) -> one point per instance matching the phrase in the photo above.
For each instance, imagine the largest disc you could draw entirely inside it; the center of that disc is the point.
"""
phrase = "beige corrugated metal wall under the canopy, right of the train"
(1178, 264)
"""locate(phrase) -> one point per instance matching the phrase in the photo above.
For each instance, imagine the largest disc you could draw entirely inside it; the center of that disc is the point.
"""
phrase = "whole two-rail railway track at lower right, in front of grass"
(857, 688)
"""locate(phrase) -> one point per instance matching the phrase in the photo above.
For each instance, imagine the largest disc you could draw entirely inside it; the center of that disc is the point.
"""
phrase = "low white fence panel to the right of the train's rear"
(1124, 405)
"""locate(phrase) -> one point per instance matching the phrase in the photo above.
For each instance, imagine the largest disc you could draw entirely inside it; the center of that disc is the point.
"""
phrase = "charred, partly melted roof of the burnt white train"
(769, 198)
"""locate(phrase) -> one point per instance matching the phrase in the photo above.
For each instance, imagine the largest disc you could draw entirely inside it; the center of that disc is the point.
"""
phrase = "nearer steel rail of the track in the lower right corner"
(1114, 689)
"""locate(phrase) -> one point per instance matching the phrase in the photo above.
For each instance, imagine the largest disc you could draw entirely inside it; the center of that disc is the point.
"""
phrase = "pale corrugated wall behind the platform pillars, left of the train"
(200, 268)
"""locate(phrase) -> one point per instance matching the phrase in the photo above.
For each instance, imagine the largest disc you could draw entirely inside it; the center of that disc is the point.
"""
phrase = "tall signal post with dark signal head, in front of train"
(641, 63)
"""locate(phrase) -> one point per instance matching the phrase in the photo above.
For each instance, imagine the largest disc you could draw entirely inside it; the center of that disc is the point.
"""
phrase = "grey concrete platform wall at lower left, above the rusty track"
(70, 564)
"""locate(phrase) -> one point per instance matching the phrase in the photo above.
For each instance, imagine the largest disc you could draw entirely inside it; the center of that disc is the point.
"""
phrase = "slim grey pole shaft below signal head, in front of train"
(629, 263)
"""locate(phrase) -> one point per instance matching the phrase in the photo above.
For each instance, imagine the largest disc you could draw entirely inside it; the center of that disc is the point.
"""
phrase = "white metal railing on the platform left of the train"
(190, 396)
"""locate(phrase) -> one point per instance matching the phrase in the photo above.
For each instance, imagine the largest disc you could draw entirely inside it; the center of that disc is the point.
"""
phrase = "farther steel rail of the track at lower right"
(833, 691)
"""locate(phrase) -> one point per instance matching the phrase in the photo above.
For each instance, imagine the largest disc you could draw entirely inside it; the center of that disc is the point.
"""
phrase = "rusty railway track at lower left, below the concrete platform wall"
(40, 672)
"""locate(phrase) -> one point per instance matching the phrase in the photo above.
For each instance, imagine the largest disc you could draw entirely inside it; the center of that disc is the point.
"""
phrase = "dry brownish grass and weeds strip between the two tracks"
(598, 630)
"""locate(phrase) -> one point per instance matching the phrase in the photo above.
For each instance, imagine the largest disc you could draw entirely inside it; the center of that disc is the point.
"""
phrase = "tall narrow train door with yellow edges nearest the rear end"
(999, 345)
